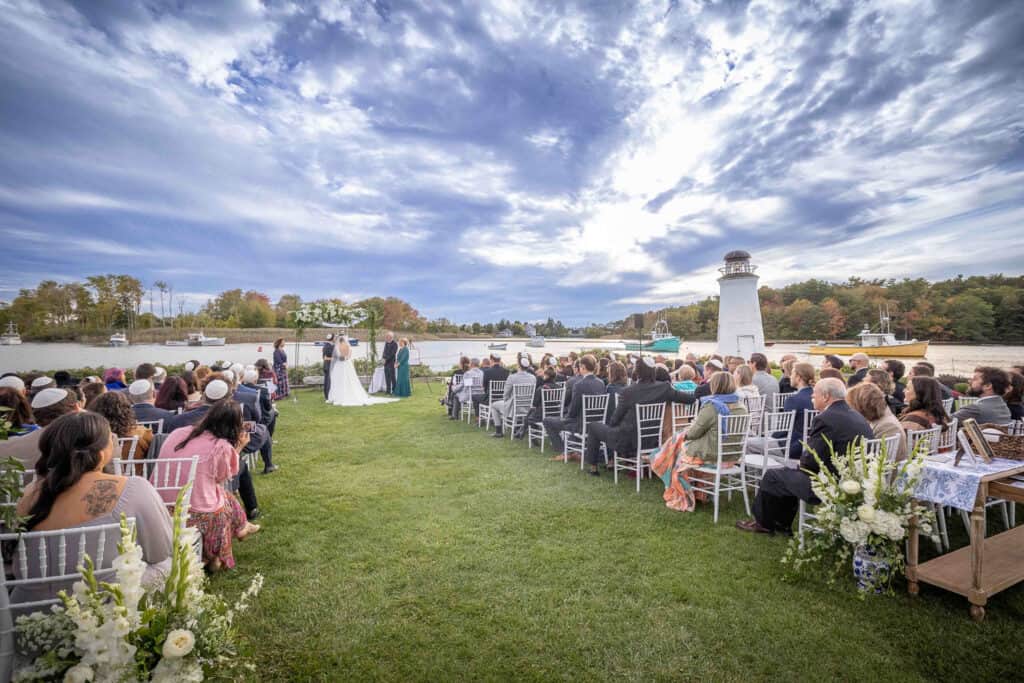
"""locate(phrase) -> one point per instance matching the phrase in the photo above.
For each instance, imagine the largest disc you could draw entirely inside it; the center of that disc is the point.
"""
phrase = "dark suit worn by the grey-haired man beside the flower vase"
(781, 491)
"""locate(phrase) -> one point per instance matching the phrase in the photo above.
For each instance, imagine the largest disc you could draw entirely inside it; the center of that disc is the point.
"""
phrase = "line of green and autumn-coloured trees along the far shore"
(982, 309)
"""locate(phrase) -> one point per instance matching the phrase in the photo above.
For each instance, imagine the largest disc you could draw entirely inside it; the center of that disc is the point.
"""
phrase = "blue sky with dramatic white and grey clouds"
(510, 158)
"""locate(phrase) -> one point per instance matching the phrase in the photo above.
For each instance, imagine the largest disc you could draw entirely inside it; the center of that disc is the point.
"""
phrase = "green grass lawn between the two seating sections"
(400, 546)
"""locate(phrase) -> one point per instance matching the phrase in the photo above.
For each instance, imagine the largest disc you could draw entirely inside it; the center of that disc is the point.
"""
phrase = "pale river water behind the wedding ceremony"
(954, 359)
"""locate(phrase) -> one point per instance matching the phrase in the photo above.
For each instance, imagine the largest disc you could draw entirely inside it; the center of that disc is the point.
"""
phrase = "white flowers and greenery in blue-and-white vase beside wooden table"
(868, 502)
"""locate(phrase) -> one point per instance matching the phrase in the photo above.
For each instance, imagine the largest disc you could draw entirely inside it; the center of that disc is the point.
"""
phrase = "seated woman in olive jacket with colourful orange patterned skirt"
(679, 459)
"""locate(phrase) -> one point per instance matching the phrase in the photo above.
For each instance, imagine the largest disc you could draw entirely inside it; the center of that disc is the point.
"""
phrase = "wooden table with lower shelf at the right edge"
(988, 566)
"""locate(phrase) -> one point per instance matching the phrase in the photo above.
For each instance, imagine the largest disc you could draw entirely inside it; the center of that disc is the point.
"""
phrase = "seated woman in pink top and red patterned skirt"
(218, 440)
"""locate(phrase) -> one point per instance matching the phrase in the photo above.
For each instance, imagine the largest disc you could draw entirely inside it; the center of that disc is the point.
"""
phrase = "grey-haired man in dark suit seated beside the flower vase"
(782, 490)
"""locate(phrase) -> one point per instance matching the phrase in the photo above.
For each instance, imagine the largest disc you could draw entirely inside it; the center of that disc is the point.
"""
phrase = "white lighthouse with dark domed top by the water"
(740, 329)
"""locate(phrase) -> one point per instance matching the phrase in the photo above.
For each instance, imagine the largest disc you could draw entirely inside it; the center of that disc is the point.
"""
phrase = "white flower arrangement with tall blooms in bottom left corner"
(125, 632)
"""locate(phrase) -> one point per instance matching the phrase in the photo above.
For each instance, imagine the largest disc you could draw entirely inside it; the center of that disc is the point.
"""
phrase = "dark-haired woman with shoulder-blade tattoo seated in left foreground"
(71, 491)
